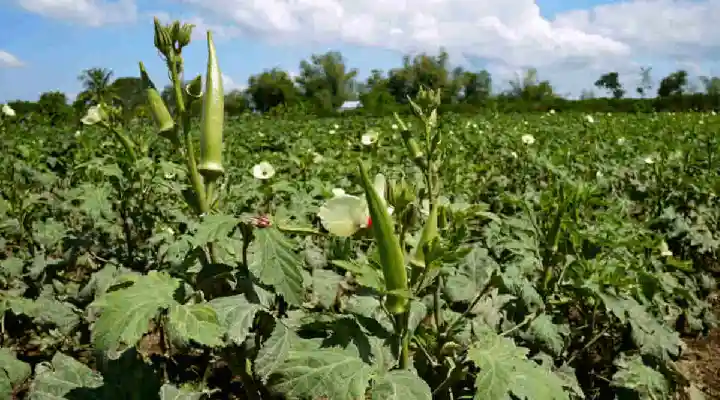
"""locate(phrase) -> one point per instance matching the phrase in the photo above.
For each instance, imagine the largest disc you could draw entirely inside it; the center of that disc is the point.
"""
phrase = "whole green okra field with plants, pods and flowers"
(499, 256)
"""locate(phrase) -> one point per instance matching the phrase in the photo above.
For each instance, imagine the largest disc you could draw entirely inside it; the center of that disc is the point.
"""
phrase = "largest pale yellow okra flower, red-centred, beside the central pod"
(345, 214)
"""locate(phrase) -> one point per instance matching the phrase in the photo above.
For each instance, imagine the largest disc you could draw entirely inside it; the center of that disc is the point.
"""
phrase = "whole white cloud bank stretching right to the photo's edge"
(506, 34)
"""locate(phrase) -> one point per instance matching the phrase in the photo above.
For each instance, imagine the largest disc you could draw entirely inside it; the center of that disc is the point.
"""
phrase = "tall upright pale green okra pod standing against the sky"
(213, 114)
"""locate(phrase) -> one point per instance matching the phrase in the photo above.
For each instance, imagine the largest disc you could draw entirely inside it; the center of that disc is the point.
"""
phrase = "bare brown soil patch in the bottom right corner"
(701, 362)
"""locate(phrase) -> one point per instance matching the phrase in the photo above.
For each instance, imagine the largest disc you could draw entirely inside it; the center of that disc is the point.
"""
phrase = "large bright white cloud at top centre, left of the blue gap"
(508, 31)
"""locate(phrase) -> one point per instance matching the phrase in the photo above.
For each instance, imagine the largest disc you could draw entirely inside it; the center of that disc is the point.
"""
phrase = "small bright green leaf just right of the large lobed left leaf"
(196, 322)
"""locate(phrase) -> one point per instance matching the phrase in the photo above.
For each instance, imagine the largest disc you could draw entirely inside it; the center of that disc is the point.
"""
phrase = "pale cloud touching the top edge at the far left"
(89, 12)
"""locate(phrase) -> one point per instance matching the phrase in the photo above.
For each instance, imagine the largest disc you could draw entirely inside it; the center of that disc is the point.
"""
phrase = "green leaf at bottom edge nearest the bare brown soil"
(633, 374)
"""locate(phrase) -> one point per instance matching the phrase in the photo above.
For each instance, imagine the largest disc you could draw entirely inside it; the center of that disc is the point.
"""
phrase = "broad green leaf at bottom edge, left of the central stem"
(332, 374)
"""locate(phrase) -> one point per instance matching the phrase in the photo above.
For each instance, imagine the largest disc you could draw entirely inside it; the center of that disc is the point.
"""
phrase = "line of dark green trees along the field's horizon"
(325, 83)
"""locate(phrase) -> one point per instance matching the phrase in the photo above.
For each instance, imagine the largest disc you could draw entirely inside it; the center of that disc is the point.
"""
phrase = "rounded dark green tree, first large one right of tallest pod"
(272, 88)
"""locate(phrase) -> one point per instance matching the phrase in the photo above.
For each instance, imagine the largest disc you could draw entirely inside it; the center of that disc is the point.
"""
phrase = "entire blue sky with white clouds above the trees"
(45, 44)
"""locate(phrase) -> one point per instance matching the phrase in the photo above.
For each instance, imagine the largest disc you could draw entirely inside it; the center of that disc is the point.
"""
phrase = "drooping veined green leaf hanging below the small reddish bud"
(273, 261)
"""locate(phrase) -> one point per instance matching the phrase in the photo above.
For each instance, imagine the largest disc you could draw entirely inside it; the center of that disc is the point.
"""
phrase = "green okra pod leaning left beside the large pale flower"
(391, 254)
